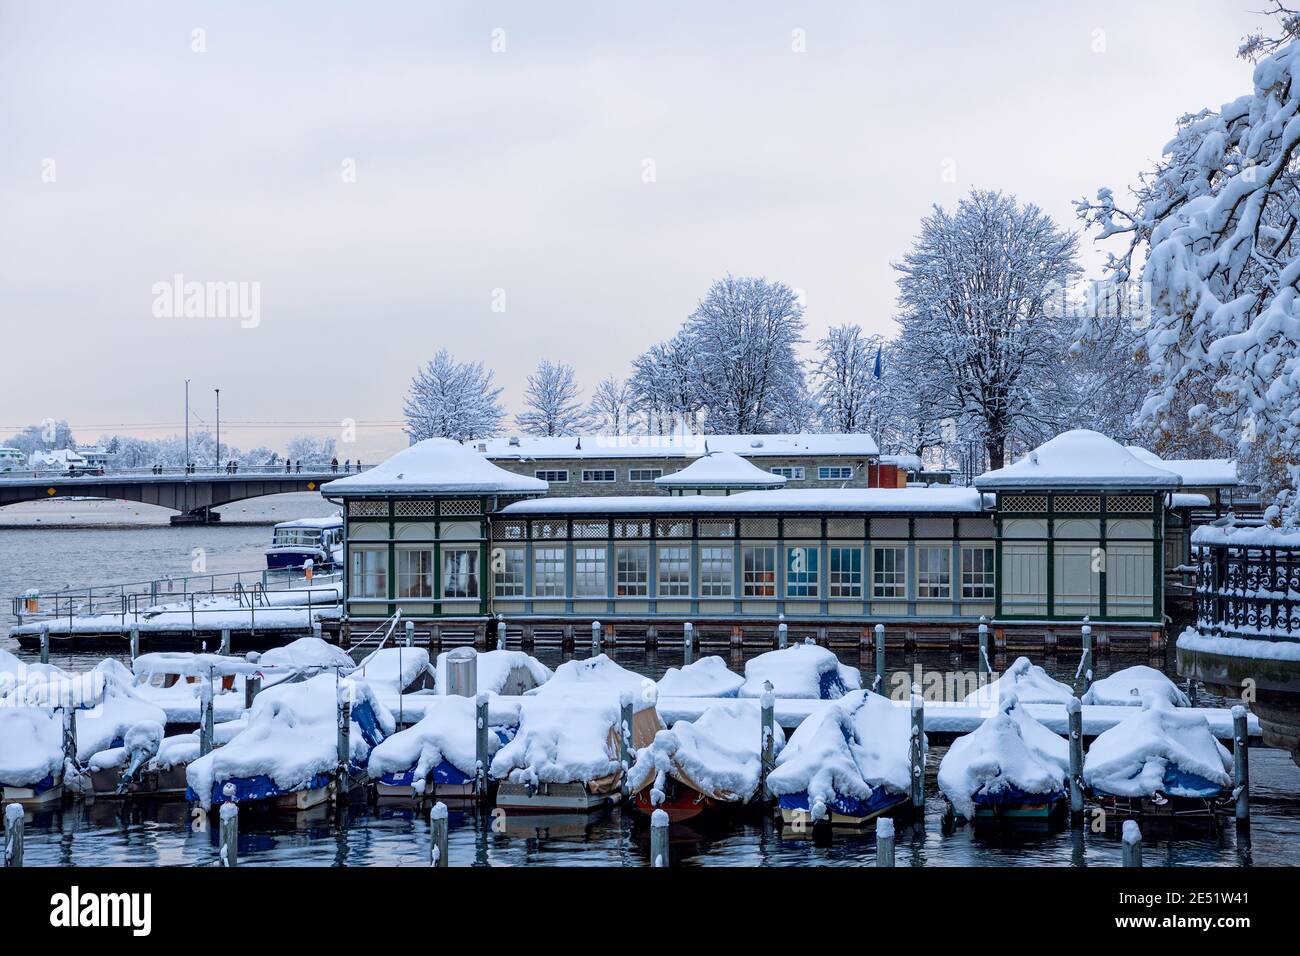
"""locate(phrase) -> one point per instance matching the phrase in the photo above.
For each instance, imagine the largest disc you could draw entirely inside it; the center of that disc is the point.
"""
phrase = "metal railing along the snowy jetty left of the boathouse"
(136, 598)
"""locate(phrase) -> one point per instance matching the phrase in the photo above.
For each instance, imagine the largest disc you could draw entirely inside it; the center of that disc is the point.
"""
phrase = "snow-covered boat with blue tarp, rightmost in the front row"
(1163, 764)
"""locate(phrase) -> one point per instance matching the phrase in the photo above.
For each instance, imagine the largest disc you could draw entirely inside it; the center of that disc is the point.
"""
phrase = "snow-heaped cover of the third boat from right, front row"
(853, 747)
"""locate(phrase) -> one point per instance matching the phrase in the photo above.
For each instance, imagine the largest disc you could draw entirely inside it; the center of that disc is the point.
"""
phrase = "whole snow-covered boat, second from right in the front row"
(1011, 771)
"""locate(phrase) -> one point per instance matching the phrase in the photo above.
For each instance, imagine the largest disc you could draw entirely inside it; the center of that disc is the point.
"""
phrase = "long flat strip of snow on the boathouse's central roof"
(868, 500)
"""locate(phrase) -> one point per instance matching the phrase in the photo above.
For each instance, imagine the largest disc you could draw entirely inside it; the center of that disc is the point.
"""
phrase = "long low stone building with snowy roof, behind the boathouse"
(630, 465)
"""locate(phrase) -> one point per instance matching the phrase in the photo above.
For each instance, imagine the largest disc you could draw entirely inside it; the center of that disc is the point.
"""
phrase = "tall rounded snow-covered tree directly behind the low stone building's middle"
(743, 338)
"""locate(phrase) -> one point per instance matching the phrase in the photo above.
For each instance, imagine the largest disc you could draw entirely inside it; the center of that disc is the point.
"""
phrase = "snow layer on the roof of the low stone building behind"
(675, 445)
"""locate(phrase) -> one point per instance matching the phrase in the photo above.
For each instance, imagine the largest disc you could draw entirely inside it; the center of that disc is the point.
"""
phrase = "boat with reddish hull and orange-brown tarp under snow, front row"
(705, 765)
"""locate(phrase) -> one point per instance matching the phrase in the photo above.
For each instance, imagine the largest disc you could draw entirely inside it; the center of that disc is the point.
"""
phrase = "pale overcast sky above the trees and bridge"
(380, 172)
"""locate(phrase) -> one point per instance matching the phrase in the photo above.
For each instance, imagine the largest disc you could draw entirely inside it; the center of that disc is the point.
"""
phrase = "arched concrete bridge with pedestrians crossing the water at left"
(193, 496)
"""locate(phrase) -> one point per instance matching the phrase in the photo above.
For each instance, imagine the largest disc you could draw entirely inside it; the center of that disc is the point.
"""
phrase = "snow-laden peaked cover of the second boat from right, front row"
(1009, 754)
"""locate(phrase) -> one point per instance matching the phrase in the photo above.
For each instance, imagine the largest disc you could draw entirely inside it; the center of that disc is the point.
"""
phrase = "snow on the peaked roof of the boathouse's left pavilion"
(436, 466)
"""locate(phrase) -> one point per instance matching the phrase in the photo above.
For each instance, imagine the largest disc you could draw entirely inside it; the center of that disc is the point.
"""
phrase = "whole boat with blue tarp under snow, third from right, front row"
(846, 765)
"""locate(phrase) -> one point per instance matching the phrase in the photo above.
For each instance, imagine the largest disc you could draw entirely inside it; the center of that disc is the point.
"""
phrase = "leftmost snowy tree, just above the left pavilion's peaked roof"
(453, 400)
